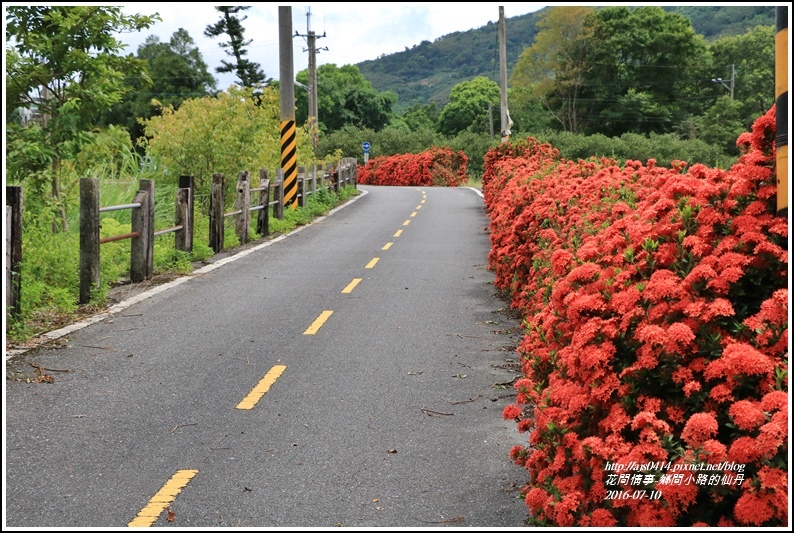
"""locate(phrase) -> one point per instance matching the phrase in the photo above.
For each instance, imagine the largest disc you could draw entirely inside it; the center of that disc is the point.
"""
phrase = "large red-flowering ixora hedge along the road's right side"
(655, 356)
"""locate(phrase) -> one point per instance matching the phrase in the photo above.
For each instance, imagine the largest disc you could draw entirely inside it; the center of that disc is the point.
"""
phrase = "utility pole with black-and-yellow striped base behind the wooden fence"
(289, 147)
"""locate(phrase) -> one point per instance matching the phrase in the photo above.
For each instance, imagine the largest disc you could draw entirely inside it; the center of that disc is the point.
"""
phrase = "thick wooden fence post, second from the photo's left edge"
(89, 238)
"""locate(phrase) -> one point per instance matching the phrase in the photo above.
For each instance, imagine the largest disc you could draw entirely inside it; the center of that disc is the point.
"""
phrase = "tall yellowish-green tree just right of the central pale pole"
(553, 70)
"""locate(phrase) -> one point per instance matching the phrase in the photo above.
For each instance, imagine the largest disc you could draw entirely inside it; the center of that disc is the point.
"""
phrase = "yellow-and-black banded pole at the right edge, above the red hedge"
(781, 108)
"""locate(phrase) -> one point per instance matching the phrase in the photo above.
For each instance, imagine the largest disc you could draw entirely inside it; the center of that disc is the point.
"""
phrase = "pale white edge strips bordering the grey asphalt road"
(117, 308)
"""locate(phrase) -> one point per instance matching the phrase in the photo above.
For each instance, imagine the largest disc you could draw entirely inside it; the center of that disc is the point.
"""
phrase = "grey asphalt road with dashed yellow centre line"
(345, 375)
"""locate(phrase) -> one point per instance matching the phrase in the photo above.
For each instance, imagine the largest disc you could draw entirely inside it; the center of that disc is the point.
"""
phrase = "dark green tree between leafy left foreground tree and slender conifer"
(177, 72)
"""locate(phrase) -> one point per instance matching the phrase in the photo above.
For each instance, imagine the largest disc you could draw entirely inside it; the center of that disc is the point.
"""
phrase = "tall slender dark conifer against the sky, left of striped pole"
(249, 73)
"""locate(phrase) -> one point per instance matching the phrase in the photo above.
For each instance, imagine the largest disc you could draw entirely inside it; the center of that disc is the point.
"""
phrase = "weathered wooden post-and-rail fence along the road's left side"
(142, 234)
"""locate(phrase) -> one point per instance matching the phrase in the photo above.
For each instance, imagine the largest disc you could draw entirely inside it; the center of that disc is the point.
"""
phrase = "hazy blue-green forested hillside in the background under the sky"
(426, 72)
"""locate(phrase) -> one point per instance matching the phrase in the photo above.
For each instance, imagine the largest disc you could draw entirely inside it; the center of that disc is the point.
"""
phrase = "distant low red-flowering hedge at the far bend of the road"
(439, 167)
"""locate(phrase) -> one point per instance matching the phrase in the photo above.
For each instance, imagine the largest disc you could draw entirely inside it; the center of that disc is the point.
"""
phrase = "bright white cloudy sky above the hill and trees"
(354, 32)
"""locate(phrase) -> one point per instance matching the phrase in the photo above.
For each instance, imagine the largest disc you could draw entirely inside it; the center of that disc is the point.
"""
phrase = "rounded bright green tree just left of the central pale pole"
(468, 107)
